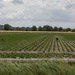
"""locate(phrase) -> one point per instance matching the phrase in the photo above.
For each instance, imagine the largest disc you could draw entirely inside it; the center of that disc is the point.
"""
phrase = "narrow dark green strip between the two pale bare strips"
(38, 55)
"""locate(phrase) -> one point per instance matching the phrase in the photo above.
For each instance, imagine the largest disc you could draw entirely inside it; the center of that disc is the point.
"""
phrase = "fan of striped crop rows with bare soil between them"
(51, 45)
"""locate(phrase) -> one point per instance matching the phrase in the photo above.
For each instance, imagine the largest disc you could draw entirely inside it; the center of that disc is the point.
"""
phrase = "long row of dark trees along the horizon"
(40, 28)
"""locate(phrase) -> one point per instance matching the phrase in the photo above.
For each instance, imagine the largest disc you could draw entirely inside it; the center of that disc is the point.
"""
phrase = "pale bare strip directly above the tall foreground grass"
(39, 59)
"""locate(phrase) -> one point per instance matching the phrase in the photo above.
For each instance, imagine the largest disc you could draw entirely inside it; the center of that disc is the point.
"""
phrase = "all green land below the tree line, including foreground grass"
(36, 53)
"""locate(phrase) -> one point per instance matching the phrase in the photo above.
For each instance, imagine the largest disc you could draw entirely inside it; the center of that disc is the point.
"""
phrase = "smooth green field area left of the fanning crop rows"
(16, 41)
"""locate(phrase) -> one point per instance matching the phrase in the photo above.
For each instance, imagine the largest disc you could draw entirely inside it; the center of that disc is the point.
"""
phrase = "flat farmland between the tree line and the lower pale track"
(36, 45)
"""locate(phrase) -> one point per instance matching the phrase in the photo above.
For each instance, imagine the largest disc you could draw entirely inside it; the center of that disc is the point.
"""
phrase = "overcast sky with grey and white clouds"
(25, 13)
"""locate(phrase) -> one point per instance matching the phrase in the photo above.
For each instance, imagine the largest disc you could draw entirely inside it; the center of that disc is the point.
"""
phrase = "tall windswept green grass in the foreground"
(37, 68)
